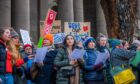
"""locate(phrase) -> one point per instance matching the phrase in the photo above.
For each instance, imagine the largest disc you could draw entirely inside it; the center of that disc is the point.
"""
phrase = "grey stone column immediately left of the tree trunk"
(100, 19)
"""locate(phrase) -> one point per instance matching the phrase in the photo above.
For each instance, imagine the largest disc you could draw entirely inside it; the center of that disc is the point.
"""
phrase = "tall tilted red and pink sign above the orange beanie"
(49, 21)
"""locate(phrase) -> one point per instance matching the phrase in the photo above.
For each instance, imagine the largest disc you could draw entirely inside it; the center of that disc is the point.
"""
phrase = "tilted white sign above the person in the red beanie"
(25, 37)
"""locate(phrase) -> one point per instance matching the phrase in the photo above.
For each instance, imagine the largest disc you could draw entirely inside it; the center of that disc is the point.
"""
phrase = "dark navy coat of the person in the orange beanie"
(45, 75)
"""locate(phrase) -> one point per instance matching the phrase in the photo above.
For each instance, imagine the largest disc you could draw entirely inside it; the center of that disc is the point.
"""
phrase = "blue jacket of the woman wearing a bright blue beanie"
(89, 72)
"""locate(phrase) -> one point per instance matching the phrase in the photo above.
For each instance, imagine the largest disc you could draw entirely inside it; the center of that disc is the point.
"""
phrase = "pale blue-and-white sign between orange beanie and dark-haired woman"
(58, 38)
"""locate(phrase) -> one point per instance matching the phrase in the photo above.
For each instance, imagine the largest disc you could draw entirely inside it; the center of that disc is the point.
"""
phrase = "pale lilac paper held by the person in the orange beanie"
(40, 54)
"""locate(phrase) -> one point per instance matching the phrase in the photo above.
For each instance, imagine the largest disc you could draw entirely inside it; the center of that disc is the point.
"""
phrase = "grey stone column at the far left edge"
(5, 12)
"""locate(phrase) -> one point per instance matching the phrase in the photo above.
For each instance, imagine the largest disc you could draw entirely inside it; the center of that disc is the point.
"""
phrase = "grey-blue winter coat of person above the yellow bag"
(121, 56)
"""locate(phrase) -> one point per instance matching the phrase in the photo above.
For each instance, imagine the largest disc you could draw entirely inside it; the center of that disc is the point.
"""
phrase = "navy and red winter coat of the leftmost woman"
(5, 59)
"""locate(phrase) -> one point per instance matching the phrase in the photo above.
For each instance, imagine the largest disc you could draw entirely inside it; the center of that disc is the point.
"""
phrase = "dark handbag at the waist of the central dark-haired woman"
(68, 71)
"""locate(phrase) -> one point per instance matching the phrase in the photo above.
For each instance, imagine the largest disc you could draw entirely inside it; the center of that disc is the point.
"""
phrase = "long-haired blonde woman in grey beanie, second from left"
(17, 59)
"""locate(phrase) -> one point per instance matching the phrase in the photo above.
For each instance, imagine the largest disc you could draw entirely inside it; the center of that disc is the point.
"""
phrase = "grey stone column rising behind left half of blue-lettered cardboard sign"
(65, 11)
